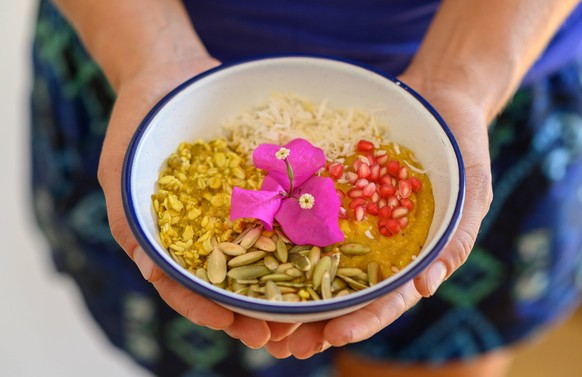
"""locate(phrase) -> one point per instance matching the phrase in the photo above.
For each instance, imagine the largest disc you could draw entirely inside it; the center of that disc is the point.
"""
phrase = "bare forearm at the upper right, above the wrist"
(485, 47)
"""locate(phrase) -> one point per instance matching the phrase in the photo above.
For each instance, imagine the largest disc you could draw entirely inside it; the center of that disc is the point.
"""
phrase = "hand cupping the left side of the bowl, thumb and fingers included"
(136, 95)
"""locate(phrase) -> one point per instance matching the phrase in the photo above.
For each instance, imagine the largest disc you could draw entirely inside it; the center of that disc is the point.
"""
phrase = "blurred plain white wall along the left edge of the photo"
(44, 328)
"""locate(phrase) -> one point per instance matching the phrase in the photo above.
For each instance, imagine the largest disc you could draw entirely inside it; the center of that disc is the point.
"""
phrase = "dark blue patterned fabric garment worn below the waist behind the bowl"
(525, 272)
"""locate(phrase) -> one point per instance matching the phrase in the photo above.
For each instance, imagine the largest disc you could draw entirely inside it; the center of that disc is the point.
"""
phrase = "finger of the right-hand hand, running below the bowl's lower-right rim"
(365, 322)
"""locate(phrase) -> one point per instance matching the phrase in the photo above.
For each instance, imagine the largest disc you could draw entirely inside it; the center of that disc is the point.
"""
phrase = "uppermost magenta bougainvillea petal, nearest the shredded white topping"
(305, 160)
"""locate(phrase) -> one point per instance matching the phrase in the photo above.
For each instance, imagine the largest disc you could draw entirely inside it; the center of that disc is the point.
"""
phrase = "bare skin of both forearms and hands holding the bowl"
(470, 63)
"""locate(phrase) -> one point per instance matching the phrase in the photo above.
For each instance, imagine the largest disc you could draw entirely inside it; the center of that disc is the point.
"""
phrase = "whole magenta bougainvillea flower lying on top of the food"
(306, 206)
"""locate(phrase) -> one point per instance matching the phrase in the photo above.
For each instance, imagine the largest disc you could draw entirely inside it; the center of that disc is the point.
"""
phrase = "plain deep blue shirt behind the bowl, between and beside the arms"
(382, 33)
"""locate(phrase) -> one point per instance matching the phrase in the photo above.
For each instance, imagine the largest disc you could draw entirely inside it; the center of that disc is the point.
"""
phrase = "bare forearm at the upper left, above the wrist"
(124, 36)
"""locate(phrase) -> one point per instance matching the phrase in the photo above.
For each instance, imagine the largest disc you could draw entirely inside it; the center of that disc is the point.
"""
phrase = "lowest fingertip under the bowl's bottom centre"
(307, 340)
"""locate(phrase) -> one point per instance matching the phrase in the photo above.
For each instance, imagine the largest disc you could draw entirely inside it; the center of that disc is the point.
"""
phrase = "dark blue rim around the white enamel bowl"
(264, 305)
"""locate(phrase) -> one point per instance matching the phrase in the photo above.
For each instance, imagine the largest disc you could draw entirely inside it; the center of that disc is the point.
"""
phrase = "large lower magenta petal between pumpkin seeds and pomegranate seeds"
(318, 225)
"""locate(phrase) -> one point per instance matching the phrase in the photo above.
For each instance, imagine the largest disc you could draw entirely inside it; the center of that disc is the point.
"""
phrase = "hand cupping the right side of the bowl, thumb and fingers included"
(468, 122)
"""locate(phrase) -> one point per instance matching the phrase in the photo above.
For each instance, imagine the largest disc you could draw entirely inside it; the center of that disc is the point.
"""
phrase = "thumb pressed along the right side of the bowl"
(458, 249)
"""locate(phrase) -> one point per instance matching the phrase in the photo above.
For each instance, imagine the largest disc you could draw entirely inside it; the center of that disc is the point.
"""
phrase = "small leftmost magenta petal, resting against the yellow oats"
(261, 205)
